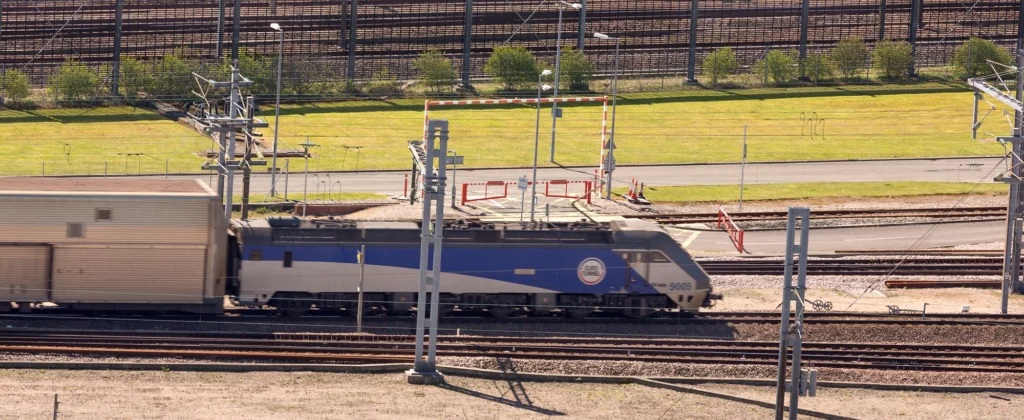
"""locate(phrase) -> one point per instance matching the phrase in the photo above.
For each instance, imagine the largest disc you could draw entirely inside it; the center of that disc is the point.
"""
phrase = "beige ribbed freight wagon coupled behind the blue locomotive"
(112, 244)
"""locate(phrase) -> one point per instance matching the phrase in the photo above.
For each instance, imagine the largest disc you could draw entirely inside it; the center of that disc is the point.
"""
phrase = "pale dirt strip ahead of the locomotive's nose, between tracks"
(940, 301)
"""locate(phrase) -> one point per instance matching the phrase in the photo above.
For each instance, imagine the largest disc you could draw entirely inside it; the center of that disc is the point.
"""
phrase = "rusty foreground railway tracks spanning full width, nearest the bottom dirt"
(364, 349)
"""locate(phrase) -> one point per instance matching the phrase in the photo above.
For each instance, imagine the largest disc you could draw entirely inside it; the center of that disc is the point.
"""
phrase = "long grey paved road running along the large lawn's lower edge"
(950, 171)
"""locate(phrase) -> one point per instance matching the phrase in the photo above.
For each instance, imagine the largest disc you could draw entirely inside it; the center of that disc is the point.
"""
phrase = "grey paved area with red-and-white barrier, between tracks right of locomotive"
(829, 240)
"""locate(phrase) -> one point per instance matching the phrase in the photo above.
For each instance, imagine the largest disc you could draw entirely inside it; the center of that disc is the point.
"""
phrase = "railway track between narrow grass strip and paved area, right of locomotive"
(936, 214)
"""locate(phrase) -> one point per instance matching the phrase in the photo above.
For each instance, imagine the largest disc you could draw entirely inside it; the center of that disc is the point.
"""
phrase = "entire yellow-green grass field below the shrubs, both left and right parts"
(807, 123)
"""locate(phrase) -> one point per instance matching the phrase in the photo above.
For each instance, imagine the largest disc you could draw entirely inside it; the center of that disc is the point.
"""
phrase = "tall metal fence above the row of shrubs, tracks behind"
(351, 39)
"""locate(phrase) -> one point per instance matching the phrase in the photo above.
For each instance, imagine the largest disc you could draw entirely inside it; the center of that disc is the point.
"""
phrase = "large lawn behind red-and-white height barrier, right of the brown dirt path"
(831, 123)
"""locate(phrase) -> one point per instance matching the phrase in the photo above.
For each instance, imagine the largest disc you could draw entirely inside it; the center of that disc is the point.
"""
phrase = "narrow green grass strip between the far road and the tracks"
(688, 194)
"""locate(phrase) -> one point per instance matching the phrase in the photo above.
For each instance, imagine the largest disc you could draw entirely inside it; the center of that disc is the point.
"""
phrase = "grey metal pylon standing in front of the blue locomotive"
(425, 371)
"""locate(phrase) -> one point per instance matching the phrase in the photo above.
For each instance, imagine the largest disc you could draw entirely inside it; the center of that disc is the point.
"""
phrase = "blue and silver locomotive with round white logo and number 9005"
(626, 267)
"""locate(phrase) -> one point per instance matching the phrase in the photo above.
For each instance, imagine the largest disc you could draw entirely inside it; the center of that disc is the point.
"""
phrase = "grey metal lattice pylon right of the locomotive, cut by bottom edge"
(792, 335)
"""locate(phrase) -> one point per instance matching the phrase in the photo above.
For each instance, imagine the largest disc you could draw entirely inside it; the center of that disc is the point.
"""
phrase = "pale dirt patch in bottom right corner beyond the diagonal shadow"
(865, 404)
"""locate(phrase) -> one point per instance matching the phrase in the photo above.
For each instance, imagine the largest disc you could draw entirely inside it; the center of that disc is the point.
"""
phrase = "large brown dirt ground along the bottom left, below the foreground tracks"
(103, 395)
